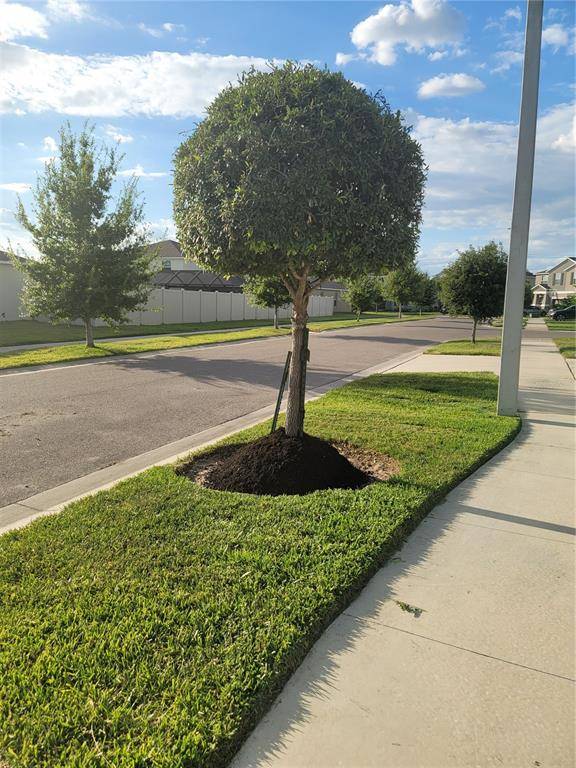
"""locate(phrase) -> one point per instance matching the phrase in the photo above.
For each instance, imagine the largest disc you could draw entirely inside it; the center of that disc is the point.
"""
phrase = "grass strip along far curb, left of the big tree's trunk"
(69, 352)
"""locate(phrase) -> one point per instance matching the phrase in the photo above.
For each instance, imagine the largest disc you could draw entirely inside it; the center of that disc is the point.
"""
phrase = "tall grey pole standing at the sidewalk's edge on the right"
(516, 276)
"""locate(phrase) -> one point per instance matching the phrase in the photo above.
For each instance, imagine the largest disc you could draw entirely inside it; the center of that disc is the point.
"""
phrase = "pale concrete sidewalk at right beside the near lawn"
(481, 673)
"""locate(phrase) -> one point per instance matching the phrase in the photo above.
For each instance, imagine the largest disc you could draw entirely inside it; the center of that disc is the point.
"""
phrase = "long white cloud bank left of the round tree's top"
(157, 83)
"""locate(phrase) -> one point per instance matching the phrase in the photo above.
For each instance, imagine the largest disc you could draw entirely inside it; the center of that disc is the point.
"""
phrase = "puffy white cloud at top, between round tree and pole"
(413, 25)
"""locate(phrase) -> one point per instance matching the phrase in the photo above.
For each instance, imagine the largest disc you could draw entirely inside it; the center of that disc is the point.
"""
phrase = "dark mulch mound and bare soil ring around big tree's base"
(277, 464)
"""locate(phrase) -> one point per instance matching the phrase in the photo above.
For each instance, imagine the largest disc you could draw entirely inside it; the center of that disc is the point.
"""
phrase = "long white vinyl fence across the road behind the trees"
(176, 305)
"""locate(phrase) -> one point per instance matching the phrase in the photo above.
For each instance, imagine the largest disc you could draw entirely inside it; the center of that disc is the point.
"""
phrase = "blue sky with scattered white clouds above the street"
(143, 73)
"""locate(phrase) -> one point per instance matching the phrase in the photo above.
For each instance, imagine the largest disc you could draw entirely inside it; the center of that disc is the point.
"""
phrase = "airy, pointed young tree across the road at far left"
(92, 262)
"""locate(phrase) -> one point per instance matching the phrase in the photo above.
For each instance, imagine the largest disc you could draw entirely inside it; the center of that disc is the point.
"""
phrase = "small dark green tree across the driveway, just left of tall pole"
(475, 284)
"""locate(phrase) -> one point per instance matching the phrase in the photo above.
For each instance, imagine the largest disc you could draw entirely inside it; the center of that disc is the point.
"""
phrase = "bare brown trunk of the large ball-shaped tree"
(297, 381)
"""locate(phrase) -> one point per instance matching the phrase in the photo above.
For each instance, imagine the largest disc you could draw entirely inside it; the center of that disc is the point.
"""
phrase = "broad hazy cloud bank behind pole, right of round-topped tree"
(470, 185)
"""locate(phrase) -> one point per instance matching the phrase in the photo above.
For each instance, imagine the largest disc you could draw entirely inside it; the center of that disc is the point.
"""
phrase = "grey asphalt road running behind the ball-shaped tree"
(59, 423)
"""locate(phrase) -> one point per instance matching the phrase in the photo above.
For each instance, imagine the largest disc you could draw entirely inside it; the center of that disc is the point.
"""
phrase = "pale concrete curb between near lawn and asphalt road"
(22, 512)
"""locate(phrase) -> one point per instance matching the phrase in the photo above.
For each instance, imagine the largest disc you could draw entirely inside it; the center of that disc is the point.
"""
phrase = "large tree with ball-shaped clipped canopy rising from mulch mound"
(297, 173)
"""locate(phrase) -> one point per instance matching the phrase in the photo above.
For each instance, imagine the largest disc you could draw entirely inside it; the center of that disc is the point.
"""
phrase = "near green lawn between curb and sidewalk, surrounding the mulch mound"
(152, 624)
